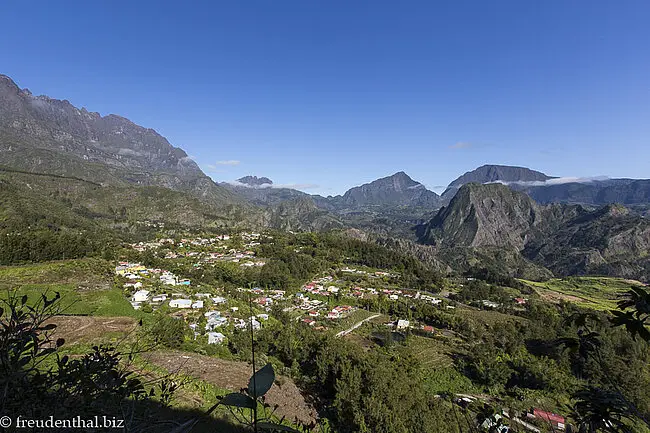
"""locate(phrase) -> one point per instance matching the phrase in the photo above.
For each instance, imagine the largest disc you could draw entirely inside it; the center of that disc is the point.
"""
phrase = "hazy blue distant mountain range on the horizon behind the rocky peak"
(399, 190)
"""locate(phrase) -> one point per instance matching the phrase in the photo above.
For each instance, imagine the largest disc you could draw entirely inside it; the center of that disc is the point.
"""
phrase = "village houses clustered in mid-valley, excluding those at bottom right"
(339, 300)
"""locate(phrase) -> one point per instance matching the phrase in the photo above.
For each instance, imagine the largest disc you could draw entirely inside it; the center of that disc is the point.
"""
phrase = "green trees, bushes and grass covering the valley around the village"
(591, 366)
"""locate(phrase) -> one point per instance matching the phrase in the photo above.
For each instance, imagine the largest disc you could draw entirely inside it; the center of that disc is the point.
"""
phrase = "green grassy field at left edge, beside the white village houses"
(85, 286)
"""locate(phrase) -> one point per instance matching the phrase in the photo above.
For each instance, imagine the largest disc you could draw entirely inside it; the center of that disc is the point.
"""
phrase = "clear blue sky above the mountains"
(332, 94)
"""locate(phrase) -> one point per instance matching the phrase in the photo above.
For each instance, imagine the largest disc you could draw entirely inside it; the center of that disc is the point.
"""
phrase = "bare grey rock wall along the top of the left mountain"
(113, 140)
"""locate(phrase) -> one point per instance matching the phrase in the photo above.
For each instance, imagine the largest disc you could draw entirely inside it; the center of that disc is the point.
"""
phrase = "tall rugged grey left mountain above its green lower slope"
(40, 134)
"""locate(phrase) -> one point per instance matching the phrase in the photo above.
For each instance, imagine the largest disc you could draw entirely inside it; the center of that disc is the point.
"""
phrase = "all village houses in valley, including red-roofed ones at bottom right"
(339, 300)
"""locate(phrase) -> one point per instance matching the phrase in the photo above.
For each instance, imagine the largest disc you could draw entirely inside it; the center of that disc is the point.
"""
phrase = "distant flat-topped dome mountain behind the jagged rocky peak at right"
(492, 173)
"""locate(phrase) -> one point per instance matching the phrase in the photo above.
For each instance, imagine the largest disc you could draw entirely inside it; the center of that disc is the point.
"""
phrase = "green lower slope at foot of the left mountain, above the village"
(58, 202)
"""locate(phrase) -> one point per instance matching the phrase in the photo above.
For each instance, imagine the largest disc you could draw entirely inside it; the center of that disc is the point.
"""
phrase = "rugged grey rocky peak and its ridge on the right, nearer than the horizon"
(567, 239)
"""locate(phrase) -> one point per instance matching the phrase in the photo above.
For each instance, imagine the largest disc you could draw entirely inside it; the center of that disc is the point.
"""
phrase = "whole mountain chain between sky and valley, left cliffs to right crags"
(112, 171)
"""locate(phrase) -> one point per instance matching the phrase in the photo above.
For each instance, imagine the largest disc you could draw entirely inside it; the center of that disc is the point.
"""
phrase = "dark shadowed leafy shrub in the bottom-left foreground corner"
(36, 381)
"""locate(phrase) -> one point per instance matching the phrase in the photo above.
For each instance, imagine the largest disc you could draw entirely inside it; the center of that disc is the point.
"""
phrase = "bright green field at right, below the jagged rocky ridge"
(599, 293)
